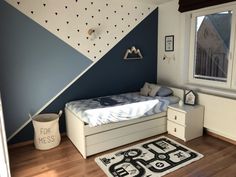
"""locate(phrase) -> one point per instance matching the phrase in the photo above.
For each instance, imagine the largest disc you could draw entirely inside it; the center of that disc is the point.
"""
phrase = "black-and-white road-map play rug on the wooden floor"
(152, 158)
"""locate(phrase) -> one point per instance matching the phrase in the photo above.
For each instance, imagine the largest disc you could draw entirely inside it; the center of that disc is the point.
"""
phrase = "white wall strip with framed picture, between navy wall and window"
(169, 24)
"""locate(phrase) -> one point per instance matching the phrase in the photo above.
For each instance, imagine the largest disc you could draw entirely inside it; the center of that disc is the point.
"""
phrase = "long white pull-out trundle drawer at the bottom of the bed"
(124, 135)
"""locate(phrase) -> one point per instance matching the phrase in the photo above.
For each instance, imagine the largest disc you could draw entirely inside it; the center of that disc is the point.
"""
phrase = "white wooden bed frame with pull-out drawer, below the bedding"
(92, 140)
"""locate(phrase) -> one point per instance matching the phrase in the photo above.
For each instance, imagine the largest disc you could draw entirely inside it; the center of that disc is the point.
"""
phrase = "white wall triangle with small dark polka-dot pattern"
(71, 21)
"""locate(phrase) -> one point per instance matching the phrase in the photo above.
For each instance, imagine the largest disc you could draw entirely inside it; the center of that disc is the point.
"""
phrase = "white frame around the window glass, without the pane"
(231, 75)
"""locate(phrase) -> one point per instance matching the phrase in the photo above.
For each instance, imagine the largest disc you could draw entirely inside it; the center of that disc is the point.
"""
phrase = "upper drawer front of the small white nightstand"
(175, 116)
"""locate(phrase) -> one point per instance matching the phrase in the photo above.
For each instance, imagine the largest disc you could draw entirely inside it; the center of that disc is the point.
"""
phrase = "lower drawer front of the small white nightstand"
(176, 130)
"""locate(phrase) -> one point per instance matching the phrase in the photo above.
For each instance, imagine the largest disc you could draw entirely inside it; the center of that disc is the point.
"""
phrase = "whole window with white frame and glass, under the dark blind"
(211, 47)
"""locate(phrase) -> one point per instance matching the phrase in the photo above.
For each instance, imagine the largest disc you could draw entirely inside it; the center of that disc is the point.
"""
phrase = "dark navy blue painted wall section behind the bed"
(112, 74)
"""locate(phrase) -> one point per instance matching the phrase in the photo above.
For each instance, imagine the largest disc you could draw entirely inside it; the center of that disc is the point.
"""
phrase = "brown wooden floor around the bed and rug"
(66, 161)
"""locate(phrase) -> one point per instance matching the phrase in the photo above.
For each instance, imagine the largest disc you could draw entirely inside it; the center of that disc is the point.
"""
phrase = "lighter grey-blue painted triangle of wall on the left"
(34, 66)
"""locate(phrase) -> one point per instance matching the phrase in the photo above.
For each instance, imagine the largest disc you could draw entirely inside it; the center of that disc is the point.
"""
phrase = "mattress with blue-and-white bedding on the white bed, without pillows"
(116, 108)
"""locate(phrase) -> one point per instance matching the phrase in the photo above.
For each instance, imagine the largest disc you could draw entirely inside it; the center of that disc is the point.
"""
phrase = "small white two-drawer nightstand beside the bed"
(185, 122)
